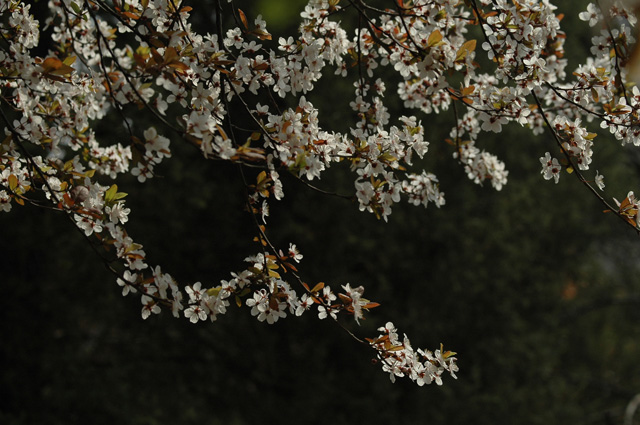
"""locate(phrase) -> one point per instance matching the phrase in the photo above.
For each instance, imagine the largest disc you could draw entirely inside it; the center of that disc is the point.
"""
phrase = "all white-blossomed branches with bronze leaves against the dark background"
(120, 60)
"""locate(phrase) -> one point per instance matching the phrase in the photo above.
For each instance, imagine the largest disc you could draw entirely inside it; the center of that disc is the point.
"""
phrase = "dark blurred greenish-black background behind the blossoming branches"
(534, 286)
